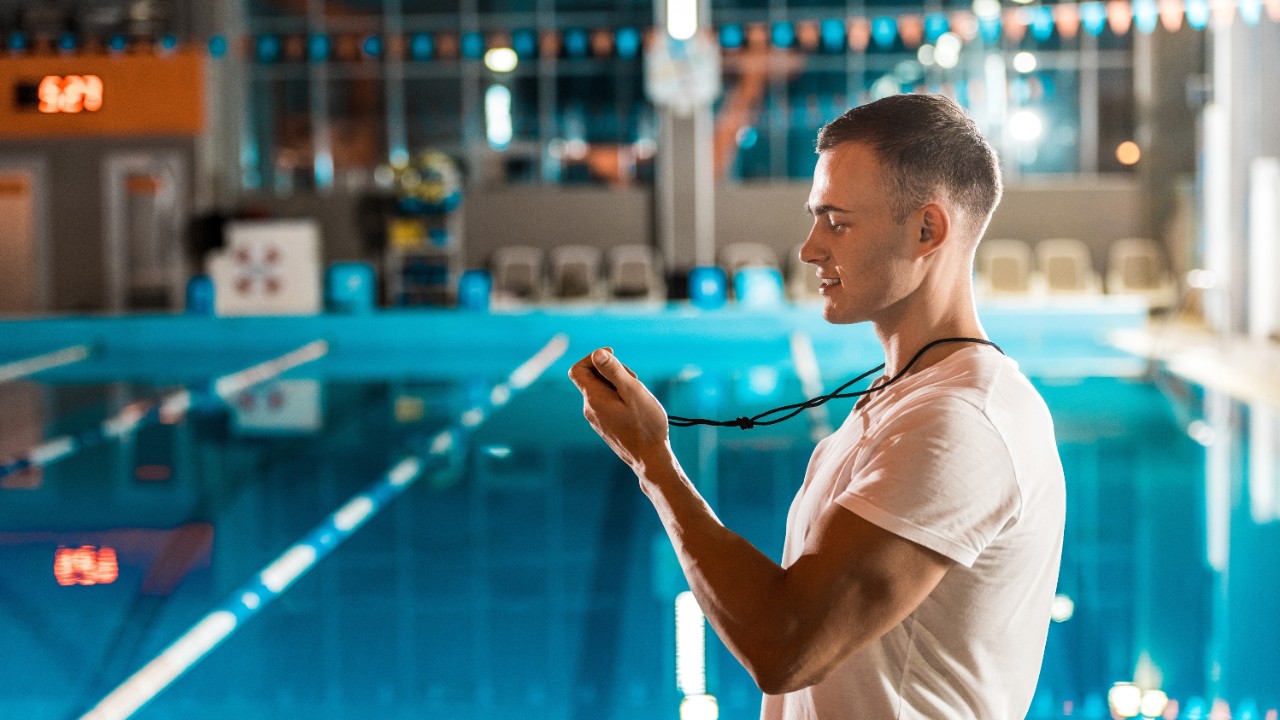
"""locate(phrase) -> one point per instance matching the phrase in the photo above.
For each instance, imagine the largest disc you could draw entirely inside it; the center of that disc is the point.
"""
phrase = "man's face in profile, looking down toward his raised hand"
(865, 258)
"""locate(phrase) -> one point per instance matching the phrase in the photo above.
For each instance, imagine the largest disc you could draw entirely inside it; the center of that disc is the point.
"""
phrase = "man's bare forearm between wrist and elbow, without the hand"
(738, 587)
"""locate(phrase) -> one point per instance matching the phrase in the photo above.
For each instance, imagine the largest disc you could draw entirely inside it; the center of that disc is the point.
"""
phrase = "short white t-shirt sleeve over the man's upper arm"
(940, 476)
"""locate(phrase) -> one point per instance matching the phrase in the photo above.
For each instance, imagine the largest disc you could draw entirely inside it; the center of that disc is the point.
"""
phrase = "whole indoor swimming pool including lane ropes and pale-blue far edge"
(406, 527)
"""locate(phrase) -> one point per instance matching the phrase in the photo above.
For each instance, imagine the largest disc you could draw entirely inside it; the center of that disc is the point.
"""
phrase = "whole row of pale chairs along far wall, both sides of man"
(1005, 267)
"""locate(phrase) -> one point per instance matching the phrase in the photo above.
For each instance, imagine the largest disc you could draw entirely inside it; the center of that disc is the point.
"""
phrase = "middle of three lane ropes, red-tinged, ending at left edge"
(171, 408)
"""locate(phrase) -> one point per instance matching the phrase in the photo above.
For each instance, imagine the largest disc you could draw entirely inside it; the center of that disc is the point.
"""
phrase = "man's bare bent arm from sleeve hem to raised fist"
(788, 626)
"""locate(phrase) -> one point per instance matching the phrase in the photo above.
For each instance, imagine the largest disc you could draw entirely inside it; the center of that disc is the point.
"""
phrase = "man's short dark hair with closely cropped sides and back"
(927, 145)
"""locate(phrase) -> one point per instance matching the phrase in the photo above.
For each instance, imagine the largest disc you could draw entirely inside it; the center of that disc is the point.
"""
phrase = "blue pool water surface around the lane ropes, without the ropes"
(527, 576)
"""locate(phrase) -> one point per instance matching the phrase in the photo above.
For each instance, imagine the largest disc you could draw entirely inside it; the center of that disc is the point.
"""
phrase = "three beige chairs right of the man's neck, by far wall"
(1136, 267)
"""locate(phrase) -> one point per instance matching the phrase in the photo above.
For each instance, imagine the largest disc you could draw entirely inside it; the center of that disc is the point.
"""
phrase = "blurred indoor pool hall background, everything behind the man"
(281, 274)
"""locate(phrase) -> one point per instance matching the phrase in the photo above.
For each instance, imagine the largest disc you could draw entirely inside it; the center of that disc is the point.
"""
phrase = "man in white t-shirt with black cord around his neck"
(922, 550)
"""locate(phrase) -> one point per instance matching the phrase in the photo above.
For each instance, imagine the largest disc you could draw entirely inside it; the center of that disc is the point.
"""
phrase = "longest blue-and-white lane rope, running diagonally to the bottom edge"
(276, 578)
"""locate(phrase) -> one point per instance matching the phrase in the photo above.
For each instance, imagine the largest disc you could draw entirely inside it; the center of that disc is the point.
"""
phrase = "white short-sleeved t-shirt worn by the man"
(959, 458)
